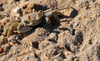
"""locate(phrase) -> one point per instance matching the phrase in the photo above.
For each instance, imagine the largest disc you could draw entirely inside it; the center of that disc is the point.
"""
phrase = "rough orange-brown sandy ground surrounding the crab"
(75, 38)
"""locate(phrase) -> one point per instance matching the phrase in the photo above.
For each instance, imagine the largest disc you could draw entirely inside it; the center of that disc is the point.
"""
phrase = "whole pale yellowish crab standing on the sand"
(31, 20)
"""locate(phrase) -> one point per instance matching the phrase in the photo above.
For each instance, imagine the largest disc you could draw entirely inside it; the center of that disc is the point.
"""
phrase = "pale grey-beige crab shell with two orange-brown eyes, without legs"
(35, 19)
